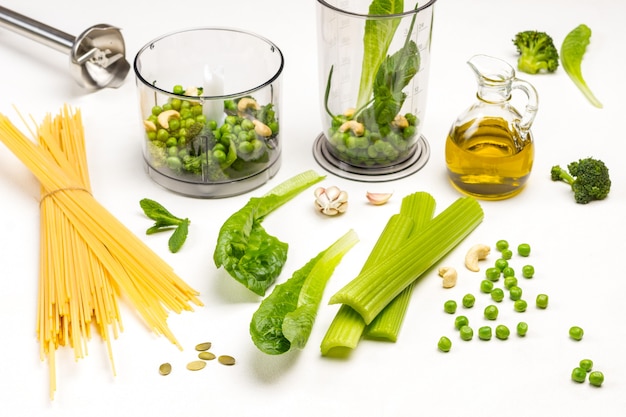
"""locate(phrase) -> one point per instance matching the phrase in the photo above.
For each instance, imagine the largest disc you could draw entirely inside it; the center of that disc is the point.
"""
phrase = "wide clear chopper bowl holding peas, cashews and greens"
(209, 101)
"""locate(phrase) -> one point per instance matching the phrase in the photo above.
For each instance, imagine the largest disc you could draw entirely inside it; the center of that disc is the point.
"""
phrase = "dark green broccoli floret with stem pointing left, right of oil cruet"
(589, 179)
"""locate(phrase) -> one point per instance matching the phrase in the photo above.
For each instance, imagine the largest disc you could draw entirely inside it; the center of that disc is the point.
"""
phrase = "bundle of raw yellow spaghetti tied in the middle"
(87, 256)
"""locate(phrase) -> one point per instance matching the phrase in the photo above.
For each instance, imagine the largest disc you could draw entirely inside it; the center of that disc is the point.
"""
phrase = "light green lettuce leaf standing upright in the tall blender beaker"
(376, 40)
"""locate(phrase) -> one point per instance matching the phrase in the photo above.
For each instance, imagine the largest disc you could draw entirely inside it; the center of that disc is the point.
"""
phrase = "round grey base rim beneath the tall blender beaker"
(342, 169)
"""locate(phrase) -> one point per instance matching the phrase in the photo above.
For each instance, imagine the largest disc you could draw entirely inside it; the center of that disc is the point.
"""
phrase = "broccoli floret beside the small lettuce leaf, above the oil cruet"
(537, 52)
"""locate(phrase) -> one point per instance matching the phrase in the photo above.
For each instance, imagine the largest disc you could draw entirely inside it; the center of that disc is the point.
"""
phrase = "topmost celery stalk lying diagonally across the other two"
(374, 288)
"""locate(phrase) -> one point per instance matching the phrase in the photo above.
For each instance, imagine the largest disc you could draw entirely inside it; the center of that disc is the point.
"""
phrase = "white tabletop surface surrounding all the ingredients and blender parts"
(577, 250)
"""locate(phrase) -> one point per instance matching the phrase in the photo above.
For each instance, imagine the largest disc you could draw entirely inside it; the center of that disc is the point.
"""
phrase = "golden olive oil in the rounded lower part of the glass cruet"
(488, 159)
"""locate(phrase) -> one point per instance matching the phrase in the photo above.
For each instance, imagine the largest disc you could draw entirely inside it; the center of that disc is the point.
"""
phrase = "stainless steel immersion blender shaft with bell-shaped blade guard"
(97, 56)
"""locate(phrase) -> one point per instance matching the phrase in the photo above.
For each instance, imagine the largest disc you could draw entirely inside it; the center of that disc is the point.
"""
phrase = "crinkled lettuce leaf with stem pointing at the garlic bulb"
(249, 254)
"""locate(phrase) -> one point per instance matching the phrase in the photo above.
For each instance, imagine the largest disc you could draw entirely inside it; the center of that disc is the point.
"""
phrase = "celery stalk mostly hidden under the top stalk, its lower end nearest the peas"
(388, 322)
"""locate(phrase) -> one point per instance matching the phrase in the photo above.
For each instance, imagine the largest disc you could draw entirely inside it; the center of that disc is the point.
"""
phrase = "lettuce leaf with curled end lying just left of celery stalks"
(285, 318)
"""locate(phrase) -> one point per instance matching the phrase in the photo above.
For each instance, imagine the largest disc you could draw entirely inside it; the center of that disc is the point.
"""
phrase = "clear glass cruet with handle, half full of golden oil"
(489, 149)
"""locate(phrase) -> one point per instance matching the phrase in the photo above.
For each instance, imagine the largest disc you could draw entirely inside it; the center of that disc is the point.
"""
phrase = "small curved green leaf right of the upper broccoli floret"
(572, 52)
